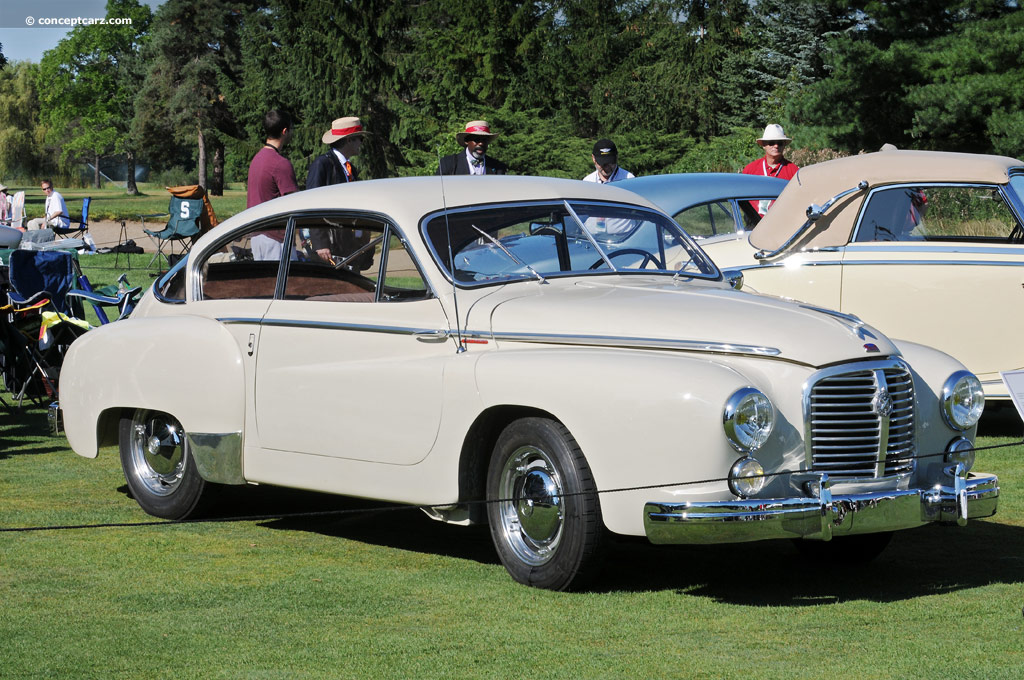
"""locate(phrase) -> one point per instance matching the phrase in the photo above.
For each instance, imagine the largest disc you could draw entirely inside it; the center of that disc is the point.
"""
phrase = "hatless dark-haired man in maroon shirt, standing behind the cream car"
(271, 176)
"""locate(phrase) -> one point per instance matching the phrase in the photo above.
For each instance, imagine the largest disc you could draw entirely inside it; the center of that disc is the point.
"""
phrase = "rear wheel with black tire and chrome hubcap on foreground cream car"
(158, 466)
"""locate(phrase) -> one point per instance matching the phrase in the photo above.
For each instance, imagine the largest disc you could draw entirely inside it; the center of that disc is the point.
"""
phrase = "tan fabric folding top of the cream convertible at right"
(818, 184)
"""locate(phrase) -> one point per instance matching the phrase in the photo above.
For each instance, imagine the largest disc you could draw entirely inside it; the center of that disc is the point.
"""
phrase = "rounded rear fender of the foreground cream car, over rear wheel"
(190, 367)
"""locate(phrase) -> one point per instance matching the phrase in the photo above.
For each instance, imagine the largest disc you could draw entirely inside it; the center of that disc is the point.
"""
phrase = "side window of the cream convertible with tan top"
(937, 214)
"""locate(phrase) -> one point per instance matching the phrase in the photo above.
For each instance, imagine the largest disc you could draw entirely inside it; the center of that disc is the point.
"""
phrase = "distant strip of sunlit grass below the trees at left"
(112, 202)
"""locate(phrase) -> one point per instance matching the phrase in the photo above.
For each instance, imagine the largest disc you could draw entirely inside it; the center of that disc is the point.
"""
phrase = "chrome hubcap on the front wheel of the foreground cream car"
(532, 509)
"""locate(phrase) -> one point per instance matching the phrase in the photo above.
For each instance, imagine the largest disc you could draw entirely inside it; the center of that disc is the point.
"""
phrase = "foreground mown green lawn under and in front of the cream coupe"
(397, 596)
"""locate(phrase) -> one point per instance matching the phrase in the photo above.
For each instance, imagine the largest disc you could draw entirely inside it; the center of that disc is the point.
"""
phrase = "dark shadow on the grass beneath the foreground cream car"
(929, 561)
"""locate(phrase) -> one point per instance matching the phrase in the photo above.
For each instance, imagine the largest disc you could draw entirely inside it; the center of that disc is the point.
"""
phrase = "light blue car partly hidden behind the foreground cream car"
(708, 204)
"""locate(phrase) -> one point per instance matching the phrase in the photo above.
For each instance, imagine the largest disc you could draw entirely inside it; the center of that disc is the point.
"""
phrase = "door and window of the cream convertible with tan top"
(940, 265)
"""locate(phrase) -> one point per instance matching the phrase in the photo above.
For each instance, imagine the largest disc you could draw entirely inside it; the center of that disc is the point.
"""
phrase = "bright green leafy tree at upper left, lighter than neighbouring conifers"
(88, 84)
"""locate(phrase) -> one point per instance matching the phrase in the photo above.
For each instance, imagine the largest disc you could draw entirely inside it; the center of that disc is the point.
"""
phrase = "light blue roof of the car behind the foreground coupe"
(681, 191)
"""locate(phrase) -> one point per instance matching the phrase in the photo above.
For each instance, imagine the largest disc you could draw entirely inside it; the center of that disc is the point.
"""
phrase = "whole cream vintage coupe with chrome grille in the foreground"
(554, 358)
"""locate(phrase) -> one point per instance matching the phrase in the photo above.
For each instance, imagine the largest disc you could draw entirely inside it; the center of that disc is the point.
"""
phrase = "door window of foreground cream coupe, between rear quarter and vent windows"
(338, 261)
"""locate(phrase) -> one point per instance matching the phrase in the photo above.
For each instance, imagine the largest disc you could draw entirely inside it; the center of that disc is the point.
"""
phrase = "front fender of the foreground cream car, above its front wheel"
(642, 418)
